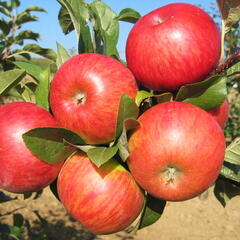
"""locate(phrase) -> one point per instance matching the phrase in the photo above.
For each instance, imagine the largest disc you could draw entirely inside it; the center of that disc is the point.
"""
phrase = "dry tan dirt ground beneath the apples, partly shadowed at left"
(190, 220)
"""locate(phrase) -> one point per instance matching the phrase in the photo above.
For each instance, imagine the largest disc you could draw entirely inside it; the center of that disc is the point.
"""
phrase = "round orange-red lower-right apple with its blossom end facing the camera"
(177, 152)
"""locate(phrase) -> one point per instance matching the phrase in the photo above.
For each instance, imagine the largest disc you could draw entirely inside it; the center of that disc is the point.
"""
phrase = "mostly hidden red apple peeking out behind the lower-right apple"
(221, 113)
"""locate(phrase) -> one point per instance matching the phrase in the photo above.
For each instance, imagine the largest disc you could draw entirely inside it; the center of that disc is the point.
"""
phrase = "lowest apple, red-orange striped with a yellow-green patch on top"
(104, 200)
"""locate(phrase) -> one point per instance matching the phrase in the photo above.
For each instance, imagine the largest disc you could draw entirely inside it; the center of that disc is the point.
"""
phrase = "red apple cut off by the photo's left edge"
(20, 170)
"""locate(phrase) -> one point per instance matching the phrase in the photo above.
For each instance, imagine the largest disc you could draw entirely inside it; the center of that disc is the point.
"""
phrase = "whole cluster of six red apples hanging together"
(175, 153)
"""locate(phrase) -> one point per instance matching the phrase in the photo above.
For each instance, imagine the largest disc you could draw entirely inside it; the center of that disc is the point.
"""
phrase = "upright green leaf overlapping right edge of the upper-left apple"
(127, 110)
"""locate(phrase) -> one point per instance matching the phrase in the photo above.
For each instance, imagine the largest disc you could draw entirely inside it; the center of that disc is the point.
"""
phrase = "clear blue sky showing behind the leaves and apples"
(51, 32)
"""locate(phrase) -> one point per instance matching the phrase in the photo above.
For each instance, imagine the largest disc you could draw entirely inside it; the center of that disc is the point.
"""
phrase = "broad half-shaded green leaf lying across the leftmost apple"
(48, 143)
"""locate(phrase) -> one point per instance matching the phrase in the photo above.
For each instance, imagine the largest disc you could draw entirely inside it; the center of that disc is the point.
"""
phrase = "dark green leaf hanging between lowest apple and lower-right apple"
(152, 211)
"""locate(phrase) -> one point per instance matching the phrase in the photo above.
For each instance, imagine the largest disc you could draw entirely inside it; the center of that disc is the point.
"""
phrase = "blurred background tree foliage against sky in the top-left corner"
(12, 37)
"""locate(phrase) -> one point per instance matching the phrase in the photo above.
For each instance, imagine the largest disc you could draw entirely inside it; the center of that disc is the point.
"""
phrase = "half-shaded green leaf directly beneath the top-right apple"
(207, 94)
